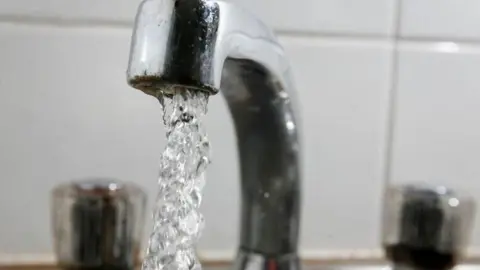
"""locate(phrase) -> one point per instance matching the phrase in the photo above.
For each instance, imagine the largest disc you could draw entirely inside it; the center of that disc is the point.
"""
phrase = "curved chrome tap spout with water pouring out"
(216, 46)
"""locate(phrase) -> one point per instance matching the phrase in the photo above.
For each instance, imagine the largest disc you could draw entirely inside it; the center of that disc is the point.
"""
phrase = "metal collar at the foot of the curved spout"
(255, 261)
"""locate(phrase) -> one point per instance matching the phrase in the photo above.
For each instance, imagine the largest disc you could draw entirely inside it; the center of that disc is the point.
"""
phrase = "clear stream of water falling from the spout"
(177, 220)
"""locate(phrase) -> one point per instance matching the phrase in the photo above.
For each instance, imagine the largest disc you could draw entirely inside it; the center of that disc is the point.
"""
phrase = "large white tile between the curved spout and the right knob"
(343, 90)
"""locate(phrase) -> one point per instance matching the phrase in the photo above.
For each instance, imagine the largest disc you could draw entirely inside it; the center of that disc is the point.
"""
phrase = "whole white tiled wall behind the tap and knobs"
(374, 110)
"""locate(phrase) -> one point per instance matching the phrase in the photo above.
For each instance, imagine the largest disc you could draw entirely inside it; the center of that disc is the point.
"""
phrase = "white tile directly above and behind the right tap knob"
(437, 133)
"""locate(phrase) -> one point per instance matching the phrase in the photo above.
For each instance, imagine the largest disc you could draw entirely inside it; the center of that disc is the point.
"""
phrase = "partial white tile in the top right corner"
(442, 19)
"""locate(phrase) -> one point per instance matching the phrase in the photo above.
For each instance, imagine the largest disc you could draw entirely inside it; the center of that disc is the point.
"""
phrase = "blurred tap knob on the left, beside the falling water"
(97, 223)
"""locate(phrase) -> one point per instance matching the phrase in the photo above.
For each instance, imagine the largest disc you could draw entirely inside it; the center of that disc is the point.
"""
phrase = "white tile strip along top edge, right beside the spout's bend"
(371, 17)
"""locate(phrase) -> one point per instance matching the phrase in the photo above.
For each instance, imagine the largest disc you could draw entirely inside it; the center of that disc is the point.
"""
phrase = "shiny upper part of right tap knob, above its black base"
(427, 217)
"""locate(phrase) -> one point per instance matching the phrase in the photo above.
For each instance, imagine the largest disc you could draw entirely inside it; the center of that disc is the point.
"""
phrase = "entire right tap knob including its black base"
(426, 227)
